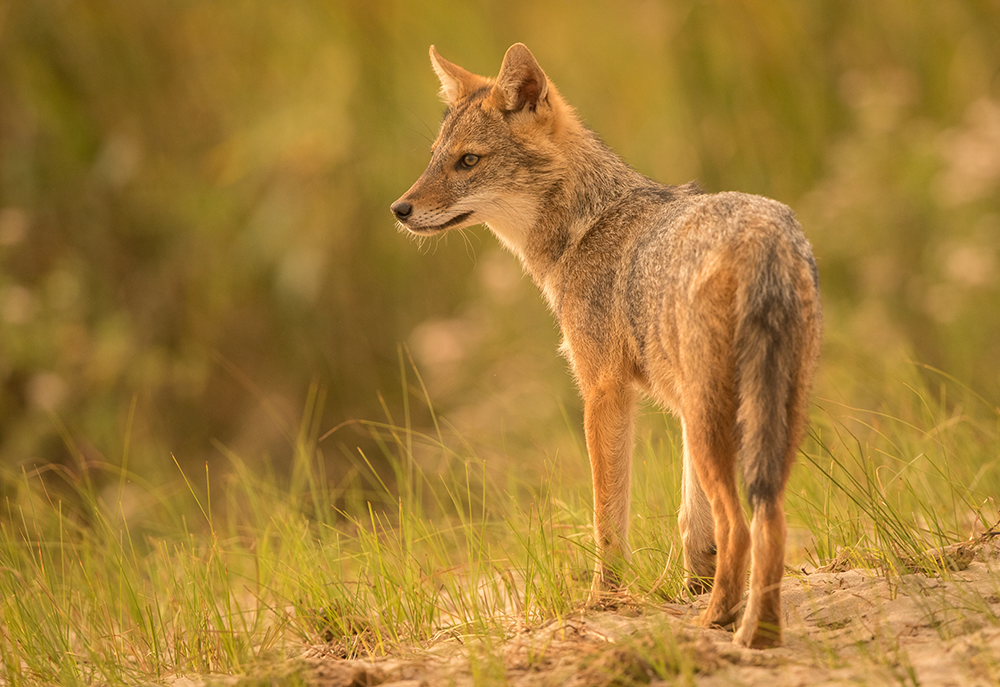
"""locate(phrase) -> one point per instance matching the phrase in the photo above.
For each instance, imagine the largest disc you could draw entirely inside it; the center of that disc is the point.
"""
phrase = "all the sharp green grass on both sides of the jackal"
(138, 582)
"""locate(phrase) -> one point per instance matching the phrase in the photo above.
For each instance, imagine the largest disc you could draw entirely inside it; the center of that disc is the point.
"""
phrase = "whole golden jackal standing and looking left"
(707, 302)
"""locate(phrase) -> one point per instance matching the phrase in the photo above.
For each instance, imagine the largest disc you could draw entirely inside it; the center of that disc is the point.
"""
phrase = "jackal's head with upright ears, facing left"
(493, 158)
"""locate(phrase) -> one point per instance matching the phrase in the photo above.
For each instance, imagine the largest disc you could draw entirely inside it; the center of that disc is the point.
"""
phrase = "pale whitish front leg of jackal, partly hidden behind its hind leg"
(697, 528)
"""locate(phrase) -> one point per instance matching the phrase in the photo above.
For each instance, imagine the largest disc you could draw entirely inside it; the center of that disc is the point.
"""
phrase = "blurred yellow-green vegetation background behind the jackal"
(194, 222)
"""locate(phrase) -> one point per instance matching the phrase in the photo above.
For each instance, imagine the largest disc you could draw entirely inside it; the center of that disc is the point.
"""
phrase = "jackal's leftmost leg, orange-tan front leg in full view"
(608, 415)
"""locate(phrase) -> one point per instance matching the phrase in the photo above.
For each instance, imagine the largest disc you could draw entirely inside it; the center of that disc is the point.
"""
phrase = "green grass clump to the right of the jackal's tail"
(879, 487)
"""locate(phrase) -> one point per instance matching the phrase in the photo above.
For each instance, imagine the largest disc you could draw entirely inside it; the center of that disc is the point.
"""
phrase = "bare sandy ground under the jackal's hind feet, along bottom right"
(841, 627)
